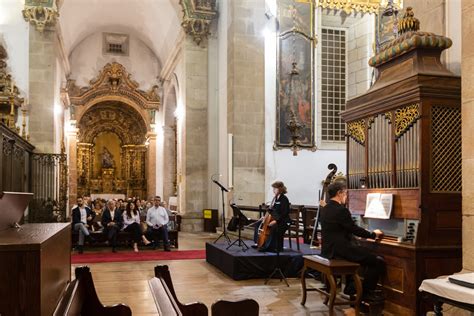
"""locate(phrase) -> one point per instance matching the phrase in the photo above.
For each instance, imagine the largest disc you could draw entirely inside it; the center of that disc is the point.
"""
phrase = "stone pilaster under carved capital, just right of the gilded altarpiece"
(194, 136)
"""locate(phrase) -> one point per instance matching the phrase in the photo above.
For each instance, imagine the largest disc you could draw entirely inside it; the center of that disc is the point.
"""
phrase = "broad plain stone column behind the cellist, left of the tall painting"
(246, 102)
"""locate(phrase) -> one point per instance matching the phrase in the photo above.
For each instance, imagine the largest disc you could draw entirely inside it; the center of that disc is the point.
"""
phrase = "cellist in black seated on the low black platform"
(279, 211)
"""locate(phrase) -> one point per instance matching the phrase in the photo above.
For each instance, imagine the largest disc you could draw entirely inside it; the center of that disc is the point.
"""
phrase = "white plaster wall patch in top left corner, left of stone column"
(14, 34)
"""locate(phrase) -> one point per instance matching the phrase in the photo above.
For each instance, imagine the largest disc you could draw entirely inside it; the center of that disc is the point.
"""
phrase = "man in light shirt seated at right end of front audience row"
(157, 220)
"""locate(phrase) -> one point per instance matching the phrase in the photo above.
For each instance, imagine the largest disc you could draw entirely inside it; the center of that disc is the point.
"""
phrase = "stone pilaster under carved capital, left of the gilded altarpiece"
(42, 73)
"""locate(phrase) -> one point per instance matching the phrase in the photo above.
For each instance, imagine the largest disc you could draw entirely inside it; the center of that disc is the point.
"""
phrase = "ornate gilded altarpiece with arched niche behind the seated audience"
(114, 120)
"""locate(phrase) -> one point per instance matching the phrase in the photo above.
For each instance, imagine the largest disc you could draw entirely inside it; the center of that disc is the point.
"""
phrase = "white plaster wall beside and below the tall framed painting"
(303, 174)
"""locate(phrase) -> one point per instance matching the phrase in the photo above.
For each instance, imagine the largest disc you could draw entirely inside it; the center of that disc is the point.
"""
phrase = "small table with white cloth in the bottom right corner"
(441, 291)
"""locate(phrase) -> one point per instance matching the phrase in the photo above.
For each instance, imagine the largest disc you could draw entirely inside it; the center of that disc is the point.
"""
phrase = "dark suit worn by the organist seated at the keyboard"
(337, 235)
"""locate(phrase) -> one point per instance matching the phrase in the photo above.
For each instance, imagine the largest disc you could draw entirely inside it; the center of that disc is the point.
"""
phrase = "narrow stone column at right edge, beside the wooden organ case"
(467, 70)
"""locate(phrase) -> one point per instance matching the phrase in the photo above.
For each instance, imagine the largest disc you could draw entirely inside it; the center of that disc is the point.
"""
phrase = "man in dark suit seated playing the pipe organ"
(337, 235)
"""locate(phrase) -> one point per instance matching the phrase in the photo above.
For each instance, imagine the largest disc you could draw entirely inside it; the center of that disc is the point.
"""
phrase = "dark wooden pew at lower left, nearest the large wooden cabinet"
(80, 298)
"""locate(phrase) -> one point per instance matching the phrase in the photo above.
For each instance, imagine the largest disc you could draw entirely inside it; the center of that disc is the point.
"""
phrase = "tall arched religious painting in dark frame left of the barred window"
(295, 73)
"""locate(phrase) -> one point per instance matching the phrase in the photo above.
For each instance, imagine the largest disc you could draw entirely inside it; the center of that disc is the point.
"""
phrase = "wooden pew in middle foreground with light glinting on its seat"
(165, 297)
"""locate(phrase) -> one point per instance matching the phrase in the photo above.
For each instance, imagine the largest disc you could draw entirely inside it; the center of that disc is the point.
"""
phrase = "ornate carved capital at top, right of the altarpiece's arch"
(197, 18)
